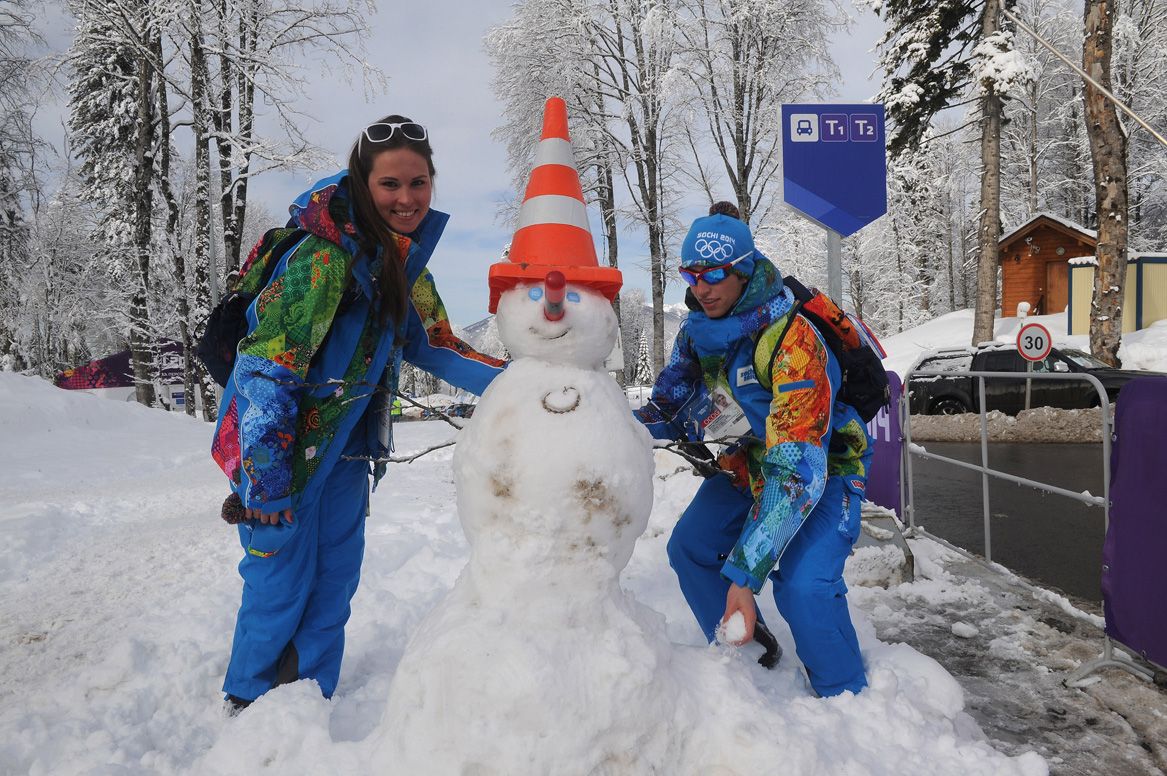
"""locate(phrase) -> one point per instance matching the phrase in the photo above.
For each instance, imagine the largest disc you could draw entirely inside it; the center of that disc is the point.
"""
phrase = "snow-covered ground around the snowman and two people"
(118, 593)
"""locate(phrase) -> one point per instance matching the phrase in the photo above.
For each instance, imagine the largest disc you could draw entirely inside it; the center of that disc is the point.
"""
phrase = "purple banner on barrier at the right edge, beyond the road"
(1134, 572)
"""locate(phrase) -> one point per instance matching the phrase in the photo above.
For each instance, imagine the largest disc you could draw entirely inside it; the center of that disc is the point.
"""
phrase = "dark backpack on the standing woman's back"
(228, 324)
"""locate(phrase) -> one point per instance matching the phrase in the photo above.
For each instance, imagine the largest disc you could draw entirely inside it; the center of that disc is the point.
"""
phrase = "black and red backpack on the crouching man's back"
(865, 384)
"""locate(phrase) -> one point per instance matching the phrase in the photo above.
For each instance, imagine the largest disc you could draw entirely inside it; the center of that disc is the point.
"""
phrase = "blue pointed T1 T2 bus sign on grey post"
(835, 171)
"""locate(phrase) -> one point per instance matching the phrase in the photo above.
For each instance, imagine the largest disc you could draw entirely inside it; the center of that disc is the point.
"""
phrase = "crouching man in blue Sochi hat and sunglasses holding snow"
(798, 459)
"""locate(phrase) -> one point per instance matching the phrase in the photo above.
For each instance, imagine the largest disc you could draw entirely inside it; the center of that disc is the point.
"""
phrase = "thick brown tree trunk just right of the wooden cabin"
(1108, 150)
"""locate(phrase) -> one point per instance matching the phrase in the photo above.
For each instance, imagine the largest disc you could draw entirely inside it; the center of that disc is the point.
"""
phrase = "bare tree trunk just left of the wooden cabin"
(990, 199)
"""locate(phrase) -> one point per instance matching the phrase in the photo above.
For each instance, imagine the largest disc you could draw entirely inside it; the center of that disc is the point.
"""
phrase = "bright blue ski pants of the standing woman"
(296, 603)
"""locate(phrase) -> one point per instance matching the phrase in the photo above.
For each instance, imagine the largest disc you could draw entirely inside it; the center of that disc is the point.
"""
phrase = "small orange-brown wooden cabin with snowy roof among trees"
(1035, 263)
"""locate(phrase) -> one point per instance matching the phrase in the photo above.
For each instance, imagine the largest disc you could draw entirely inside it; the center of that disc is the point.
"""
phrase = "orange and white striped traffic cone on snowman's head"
(554, 232)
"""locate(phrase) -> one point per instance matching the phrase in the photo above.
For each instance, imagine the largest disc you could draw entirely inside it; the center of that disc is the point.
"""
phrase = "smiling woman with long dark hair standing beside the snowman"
(348, 304)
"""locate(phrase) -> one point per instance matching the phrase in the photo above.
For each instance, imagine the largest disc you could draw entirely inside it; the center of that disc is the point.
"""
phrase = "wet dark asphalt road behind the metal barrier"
(1052, 540)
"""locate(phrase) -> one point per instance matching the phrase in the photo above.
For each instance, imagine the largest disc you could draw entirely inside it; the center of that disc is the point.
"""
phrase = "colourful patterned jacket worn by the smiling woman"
(305, 374)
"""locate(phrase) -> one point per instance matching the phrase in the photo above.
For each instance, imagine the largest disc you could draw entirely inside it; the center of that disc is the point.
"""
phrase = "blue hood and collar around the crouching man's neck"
(765, 300)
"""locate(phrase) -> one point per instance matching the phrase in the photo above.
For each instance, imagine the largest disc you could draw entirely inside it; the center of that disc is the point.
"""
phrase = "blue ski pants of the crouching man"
(808, 583)
